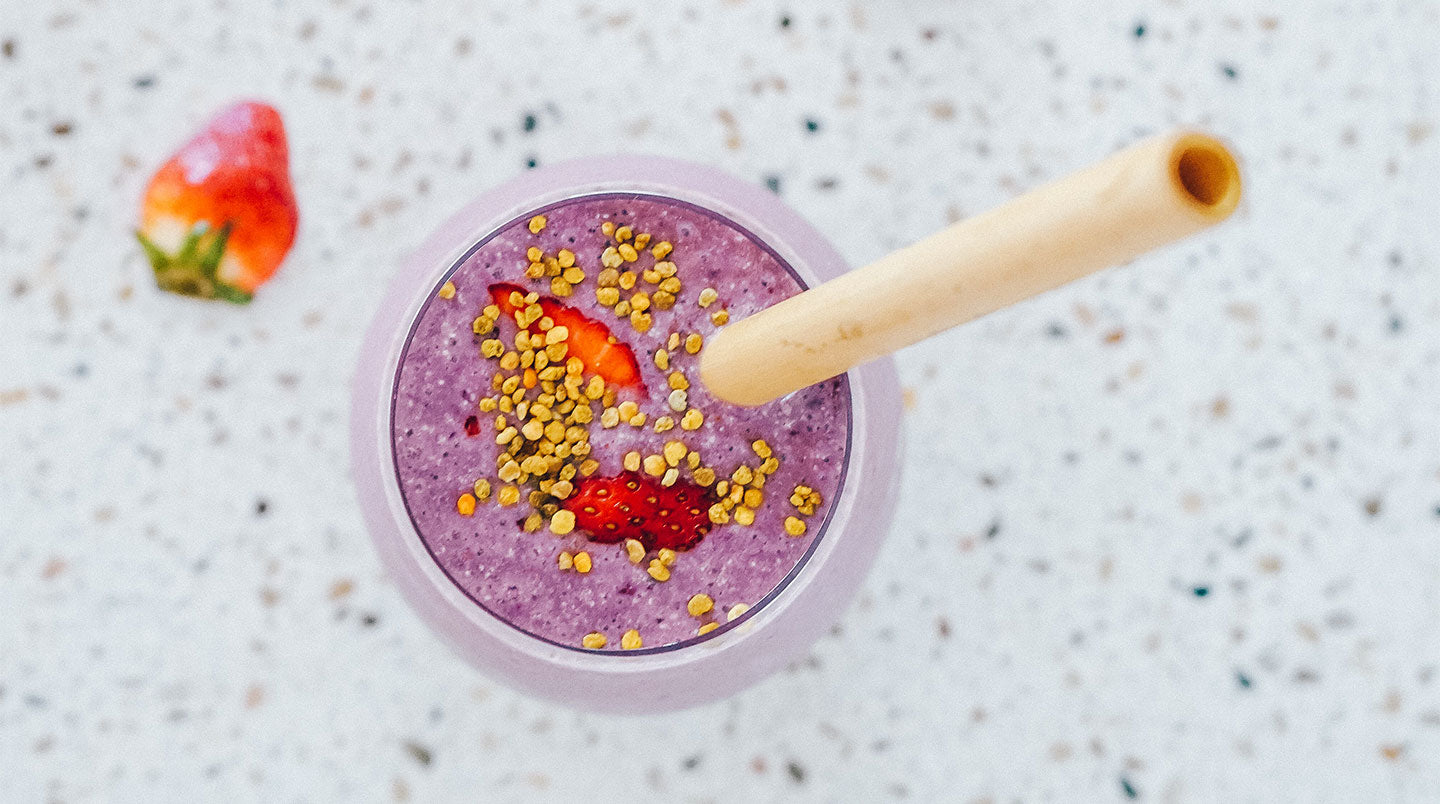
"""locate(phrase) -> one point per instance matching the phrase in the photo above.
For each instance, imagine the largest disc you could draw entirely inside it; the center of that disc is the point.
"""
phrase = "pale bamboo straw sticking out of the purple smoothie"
(1153, 194)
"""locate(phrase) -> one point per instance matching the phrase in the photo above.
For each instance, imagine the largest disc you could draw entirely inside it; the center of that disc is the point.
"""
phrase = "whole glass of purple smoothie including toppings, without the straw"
(500, 576)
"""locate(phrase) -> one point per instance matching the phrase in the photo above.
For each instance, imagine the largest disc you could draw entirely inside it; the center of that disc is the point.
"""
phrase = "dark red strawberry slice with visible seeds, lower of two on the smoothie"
(634, 506)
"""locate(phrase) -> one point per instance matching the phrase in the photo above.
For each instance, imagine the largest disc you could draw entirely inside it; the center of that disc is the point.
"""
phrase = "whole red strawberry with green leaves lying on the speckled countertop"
(220, 217)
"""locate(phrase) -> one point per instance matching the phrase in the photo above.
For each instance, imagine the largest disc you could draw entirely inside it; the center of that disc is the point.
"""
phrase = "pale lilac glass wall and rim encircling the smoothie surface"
(778, 627)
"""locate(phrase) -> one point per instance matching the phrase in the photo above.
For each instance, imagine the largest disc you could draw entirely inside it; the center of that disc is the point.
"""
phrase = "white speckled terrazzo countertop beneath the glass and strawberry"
(1170, 534)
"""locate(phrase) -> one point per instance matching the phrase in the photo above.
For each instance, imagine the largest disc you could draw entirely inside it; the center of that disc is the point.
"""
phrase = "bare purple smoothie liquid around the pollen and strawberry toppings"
(513, 573)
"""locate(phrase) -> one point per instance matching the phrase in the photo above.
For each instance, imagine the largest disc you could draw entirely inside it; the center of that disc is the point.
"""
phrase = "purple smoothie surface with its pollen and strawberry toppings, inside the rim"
(558, 453)
